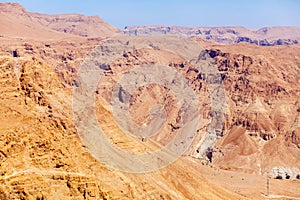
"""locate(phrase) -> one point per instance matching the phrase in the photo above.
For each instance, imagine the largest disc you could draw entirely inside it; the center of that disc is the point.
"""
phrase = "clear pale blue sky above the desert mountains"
(248, 13)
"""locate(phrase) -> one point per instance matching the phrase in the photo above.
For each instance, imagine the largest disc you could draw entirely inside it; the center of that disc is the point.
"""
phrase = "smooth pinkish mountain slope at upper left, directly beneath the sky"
(15, 21)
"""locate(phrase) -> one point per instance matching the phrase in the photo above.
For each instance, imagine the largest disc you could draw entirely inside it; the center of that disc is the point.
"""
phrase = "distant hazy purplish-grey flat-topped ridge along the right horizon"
(267, 36)
